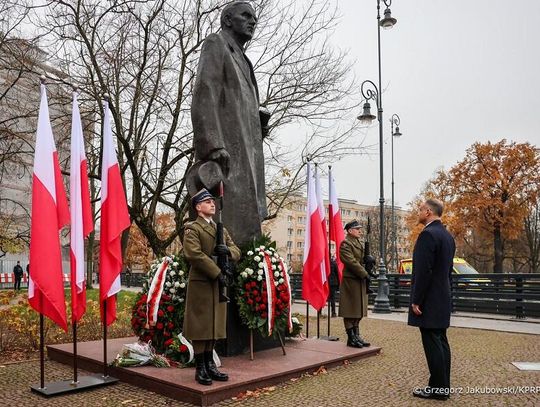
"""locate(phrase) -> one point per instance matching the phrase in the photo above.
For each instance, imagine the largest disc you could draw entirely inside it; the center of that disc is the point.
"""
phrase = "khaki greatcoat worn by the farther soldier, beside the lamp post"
(353, 299)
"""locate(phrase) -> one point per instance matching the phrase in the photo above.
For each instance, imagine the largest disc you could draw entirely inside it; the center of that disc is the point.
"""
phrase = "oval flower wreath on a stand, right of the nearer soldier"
(263, 292)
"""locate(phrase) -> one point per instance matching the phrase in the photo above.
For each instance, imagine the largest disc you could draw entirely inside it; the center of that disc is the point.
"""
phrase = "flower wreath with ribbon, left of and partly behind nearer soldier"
(158, 313)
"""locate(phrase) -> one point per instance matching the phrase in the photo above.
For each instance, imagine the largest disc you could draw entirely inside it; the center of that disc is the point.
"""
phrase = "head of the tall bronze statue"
(238, 18)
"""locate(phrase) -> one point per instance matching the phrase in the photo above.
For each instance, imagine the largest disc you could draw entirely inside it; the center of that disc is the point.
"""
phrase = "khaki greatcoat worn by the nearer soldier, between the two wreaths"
(204, 317)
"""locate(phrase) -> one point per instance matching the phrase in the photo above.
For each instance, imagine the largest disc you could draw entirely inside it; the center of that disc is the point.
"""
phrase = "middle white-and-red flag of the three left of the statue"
(81, 214)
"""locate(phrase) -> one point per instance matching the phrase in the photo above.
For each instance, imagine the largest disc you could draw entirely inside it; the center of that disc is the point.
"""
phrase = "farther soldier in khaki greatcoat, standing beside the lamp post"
(353, 300)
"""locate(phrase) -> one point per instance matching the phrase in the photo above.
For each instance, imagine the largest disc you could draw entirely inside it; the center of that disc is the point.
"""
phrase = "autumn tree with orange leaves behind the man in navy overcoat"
(490, 193)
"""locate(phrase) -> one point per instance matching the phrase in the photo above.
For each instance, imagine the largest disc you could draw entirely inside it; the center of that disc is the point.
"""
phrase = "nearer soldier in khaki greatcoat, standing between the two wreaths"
(205, 316)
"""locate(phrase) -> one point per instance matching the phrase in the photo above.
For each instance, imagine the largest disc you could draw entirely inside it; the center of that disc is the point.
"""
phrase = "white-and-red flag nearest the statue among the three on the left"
(114, 220)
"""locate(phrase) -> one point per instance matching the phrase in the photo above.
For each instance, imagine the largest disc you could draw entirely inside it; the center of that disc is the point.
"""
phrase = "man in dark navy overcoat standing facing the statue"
(430, 297)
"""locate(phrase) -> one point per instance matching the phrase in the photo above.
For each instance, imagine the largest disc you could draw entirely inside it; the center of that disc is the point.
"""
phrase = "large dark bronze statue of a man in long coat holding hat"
(227, 124)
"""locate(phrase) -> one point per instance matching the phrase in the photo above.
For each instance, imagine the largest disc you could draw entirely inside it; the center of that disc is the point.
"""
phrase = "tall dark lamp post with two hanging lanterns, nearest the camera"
(382, 303)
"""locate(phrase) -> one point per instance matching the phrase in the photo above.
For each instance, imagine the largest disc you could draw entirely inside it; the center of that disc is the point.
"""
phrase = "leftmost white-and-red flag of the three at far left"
(49, 214)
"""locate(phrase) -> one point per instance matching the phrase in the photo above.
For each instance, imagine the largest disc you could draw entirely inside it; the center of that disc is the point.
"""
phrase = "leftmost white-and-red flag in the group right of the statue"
(314, 289)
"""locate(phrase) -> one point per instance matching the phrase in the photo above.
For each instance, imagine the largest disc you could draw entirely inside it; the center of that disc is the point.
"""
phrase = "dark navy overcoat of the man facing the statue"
(433, 257)
